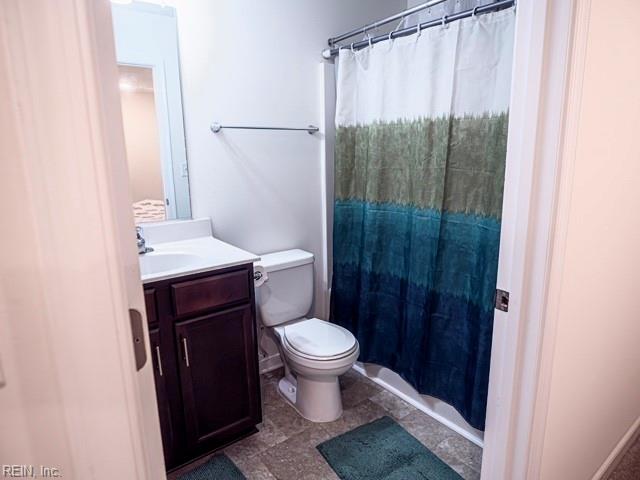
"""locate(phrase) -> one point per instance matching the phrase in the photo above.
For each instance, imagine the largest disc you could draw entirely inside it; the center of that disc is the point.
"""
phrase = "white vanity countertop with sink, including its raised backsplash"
(184, 248)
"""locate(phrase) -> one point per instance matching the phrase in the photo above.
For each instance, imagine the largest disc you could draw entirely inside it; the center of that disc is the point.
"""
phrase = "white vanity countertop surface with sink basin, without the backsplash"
(194, 255)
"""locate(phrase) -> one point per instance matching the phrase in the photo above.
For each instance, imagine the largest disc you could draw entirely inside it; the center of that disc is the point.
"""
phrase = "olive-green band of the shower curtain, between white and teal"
(448, 163)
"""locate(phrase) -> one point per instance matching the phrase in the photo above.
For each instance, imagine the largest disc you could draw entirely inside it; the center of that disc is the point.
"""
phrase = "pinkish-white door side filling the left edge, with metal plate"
(71, 398)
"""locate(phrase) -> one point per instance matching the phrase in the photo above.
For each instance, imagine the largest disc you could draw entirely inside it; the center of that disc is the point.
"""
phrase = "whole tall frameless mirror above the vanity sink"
(151, 101)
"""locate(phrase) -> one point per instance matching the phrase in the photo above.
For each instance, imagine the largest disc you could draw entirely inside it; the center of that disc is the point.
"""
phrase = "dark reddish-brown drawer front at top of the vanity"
(212, 292)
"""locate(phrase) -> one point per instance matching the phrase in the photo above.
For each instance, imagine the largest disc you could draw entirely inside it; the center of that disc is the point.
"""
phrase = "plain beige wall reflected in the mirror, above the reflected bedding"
(143, 145)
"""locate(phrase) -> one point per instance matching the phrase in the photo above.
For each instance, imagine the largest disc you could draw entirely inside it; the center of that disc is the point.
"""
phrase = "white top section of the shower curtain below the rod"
(462, 68)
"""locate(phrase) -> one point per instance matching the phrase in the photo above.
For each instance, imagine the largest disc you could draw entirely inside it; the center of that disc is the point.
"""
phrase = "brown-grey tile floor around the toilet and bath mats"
(284, 448)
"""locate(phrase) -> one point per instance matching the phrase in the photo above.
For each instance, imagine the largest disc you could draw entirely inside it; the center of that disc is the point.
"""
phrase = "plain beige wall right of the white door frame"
(594, 394)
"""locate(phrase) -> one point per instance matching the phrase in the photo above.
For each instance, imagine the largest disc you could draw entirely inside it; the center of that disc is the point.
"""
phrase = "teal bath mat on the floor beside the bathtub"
(383, 450)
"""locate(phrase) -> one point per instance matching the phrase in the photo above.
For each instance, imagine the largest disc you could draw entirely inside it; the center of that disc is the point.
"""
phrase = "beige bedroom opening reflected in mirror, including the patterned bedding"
(142, 143)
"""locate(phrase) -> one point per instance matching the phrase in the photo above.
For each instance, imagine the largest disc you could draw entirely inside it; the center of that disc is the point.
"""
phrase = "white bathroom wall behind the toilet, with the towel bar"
(251, 62)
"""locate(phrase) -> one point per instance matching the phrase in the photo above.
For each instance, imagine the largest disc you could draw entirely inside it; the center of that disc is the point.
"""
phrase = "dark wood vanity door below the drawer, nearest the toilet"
(219, 376)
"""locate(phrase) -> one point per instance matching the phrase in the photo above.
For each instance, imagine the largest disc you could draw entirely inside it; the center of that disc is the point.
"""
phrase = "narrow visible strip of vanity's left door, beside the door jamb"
(159, 372)
